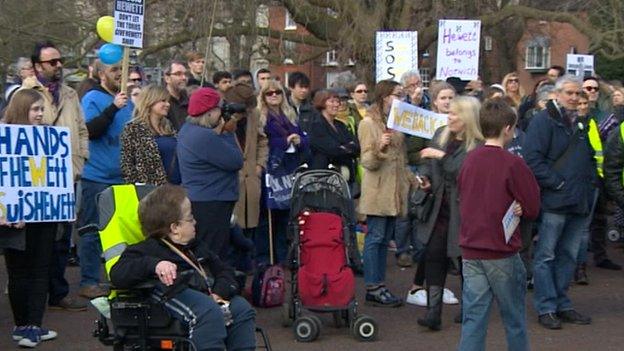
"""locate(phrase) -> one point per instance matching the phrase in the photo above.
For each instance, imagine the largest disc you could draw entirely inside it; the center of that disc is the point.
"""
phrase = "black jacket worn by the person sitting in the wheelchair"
(138, 263)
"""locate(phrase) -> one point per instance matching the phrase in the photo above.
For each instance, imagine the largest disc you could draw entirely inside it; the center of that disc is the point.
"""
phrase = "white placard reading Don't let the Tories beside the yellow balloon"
(129, 23)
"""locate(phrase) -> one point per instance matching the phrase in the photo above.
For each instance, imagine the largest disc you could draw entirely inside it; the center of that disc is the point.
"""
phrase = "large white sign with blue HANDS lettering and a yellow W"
(36, 179)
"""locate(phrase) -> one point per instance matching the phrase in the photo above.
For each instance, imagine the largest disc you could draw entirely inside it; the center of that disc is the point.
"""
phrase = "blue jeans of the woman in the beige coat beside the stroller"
(380, 230)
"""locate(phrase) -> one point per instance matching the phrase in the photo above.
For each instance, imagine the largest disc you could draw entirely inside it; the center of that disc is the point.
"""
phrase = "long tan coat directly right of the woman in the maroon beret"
(256, 152)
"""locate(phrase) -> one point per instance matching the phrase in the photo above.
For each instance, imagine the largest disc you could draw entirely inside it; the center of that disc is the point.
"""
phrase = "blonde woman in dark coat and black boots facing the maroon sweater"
(442, 161)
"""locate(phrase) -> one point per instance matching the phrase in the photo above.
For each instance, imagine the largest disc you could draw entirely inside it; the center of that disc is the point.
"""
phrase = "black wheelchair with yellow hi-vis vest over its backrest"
(136, 321)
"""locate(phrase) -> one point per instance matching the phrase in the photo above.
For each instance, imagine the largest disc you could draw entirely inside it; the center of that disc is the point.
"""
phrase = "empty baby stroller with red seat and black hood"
(321, 226)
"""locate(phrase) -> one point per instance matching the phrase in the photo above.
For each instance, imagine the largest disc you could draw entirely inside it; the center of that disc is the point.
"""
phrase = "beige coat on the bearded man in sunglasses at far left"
(68, 114)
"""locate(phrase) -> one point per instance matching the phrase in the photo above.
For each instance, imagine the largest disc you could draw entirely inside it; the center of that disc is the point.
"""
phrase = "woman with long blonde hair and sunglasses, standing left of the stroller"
(288, 149)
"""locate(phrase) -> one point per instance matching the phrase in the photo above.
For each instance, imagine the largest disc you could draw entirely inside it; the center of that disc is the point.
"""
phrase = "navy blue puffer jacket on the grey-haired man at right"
(569, 187)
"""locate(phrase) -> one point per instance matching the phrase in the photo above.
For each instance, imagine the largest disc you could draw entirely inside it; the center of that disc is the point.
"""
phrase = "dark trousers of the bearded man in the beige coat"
(59, 288)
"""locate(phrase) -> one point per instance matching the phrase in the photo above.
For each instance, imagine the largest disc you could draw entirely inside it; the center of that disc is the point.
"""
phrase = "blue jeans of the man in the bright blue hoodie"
(89, 246)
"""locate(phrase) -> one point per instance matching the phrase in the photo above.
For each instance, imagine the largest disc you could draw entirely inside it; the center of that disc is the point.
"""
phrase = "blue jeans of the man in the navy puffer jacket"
(554, 260)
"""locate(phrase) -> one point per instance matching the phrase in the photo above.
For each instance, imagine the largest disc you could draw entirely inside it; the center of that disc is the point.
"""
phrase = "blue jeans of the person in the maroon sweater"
(486, 280)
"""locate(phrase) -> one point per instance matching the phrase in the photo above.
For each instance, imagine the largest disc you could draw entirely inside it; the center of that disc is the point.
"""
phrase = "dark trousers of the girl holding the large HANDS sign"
(29, 273)
